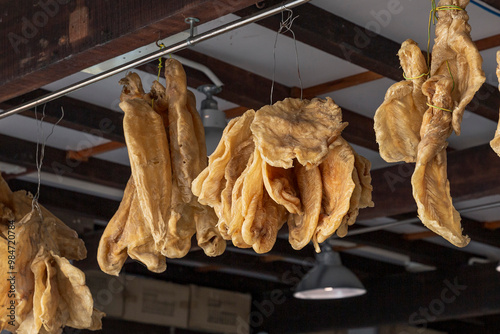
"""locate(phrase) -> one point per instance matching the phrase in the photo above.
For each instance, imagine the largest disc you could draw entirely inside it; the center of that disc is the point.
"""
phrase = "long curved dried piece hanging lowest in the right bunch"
(431, 188)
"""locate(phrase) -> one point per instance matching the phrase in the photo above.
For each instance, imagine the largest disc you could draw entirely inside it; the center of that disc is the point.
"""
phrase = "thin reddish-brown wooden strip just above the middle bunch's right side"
(331, 86)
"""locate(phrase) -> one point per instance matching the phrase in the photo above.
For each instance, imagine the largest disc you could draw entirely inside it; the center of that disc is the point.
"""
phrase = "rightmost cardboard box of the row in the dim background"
(219, 311)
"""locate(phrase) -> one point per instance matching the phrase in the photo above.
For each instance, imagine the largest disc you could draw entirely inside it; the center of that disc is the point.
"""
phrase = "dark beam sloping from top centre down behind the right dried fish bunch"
(344, 39)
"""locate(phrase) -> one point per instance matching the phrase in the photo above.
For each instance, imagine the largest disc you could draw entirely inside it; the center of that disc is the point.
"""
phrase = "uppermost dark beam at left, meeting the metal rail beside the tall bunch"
(78, 115)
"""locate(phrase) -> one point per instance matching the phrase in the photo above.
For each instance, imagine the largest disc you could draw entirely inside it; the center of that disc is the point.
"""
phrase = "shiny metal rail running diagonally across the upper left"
(162, 52)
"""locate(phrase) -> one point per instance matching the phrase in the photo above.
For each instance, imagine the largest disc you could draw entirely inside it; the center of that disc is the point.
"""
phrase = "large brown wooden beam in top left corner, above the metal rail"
(39, 39)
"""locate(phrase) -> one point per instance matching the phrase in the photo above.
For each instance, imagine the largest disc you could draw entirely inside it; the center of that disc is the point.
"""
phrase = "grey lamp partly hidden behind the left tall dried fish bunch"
(213, 119)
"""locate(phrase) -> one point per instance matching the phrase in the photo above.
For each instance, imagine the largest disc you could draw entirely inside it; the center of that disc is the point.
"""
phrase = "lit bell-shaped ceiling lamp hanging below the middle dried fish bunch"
(329, 279)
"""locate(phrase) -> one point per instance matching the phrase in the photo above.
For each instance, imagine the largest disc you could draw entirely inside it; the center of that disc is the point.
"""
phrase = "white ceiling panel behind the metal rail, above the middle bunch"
(251, 48)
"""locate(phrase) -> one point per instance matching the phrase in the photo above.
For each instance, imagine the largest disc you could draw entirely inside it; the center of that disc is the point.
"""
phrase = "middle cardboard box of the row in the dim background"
(156, 302)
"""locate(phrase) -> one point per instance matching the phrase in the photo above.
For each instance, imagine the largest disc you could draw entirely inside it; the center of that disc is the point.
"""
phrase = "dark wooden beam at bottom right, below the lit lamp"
(414, 299)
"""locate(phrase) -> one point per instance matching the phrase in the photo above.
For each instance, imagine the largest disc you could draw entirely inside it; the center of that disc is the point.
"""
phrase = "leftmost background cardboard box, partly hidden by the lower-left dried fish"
(107, 292)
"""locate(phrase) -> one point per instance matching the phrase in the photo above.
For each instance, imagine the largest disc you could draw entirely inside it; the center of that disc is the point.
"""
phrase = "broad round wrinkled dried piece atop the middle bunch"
(295, 128)
